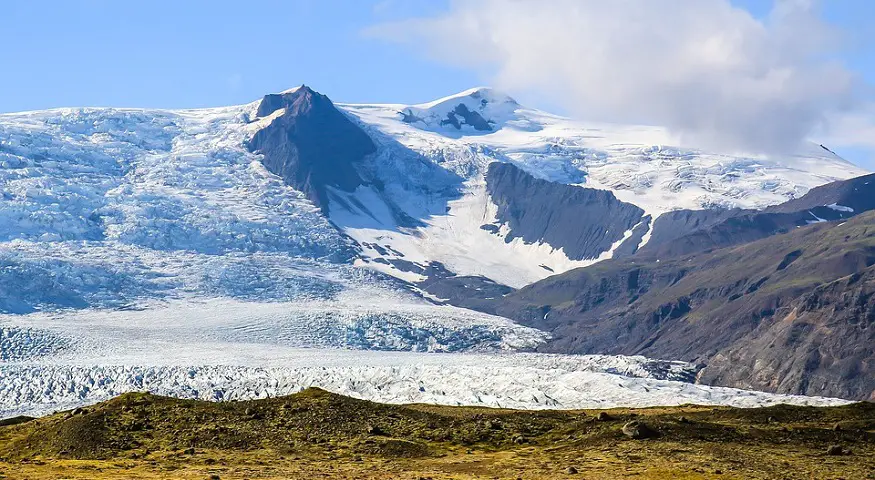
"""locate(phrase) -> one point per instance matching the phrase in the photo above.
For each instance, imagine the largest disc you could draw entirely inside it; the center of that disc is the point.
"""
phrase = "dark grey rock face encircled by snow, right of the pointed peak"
(584, 222)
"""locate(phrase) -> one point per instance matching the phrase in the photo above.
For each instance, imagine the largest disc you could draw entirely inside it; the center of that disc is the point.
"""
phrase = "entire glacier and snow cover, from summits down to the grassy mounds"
(150, 249)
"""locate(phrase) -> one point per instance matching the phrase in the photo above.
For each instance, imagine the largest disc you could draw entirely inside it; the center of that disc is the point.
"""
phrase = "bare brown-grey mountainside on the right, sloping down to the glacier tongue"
(789, 313)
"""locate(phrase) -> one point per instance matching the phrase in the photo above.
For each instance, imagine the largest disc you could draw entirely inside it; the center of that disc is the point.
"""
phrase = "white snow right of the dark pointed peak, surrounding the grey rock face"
(434, 172)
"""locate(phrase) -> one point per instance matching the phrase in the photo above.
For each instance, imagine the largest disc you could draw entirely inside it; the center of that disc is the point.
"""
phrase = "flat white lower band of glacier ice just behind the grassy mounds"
(228, 363)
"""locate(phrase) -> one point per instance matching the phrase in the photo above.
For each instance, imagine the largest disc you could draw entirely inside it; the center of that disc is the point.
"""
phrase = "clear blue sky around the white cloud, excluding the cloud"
(196, 53)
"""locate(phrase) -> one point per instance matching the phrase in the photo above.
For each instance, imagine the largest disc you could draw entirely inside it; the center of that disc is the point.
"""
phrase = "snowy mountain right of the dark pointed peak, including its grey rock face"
(433, 166)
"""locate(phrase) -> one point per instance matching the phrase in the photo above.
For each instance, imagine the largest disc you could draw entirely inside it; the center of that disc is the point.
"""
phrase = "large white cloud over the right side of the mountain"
(709, 70)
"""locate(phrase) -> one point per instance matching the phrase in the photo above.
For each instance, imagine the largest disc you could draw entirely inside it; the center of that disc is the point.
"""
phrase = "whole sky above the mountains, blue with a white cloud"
(751, 74)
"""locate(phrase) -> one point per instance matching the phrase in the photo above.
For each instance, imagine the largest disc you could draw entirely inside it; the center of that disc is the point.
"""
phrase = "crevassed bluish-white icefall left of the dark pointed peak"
(102, 207)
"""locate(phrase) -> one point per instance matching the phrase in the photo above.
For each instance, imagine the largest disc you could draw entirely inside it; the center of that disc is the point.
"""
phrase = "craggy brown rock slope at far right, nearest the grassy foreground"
(821, 343)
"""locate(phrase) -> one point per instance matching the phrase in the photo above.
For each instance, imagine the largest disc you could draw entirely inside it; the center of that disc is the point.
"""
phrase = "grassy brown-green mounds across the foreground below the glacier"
(316, 434)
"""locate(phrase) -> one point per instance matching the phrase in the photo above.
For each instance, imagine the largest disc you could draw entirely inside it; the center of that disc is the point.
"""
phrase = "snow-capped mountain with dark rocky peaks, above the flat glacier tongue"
(102, 207)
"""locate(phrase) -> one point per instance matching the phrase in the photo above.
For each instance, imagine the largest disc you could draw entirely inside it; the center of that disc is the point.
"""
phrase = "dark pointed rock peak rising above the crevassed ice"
(311, 145)
